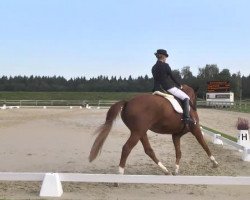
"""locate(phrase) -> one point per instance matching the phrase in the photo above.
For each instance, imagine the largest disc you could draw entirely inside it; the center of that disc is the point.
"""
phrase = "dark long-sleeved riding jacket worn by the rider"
(163, 77)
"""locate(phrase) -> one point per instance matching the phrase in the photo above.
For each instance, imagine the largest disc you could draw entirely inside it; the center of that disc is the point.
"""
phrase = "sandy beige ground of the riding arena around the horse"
(59, 140)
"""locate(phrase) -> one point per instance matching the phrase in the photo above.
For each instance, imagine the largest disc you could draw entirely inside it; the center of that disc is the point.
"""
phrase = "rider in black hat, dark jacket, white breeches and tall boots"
(164, 81)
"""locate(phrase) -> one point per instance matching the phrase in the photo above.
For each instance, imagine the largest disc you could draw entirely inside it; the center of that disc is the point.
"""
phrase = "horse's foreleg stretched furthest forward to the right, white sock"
(197, 133)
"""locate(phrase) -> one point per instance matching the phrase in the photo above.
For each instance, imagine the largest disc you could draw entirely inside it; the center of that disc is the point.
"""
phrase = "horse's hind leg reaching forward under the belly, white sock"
(150, 152)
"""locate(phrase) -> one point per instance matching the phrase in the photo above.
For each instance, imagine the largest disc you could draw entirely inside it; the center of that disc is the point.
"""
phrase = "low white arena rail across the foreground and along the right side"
(52, 182)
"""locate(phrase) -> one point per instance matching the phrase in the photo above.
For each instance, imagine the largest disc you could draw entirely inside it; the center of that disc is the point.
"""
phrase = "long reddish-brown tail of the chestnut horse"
(104, 129)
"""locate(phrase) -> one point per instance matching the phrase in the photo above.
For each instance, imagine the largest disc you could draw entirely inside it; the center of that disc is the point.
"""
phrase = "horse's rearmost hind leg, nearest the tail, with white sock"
(126, 149)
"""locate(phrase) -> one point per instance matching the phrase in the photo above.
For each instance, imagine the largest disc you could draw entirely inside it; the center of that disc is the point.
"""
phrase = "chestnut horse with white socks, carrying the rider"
(151, 112)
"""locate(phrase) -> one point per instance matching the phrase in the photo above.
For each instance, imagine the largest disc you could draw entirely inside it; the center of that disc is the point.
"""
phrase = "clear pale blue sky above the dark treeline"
(74, 38)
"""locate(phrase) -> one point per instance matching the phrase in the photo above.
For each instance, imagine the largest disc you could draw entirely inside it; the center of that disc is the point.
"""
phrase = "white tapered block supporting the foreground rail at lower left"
(51, 186)
